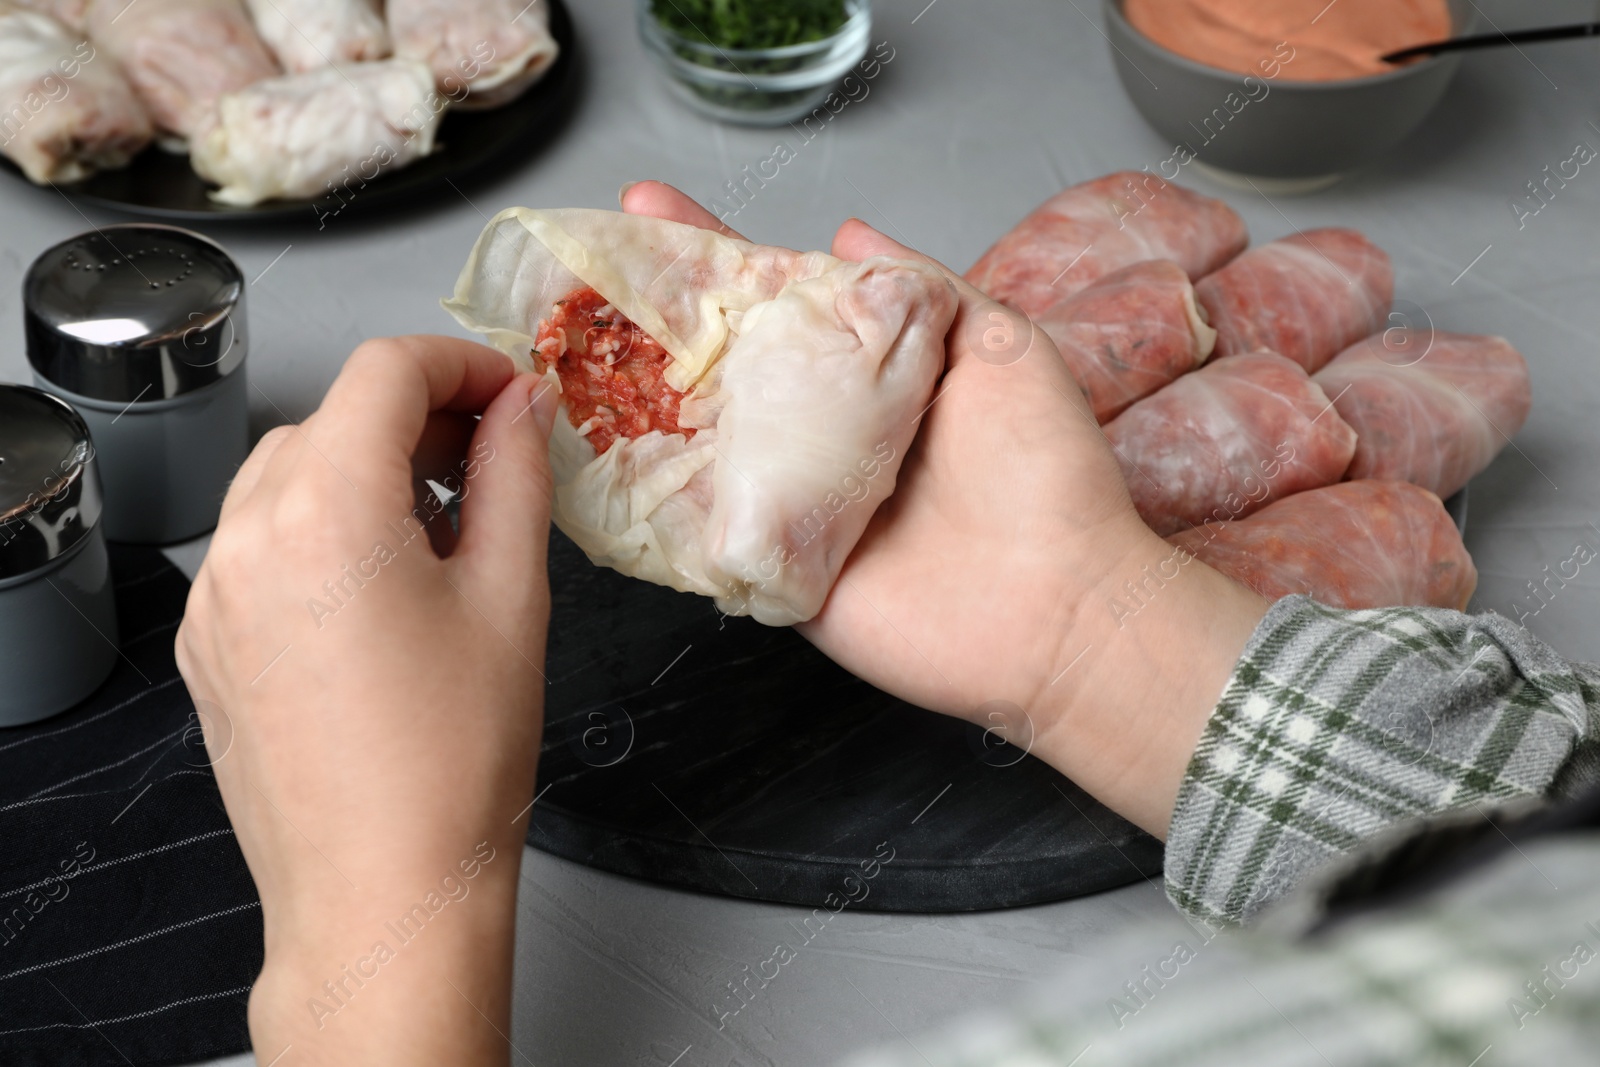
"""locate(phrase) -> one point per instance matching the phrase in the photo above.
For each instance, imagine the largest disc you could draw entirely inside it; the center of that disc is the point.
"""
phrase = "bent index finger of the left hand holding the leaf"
(374, 417)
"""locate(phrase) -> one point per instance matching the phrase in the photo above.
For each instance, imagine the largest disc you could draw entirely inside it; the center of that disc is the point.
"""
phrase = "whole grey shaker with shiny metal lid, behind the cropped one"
(142, 329)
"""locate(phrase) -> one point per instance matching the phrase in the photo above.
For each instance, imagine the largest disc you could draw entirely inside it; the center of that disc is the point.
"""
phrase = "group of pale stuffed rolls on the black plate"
(271, 98)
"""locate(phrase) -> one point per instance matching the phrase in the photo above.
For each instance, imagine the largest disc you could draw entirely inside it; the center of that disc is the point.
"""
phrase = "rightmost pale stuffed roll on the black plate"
(484, 54)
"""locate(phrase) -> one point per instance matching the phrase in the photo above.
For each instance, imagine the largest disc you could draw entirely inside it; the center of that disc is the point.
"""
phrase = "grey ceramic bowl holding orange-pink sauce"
(1278, 129)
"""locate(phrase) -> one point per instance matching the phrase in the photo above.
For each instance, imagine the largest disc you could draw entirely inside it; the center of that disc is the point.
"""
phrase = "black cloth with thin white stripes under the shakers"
(130, 930)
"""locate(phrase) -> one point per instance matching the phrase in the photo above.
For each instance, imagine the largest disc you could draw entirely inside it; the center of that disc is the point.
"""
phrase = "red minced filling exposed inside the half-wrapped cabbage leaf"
(614, 374)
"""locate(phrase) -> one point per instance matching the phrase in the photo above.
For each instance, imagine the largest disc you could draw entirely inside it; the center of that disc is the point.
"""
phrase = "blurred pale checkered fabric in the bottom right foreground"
(1505, 969)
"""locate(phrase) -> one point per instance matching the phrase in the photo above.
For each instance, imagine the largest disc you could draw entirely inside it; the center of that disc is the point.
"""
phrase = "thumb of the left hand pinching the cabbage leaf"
(506, 511)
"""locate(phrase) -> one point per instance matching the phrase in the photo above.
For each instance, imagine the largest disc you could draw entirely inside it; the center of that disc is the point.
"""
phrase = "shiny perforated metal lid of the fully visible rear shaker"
(135, 313)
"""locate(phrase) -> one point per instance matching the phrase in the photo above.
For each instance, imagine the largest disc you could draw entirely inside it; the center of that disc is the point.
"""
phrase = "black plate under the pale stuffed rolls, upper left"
(162, 186)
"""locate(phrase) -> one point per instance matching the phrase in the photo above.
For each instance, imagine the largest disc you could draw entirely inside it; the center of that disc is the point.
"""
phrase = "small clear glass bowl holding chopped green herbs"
(758, 87)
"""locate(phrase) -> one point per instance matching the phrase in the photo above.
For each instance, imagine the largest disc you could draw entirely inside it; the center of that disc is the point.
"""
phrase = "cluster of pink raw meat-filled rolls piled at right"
(1268, 414)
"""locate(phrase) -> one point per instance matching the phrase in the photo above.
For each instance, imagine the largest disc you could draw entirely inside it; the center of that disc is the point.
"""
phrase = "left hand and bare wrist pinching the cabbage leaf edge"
(374, 701)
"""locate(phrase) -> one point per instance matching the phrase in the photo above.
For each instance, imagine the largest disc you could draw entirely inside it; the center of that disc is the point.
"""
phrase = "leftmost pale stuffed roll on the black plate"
(65, 111)
